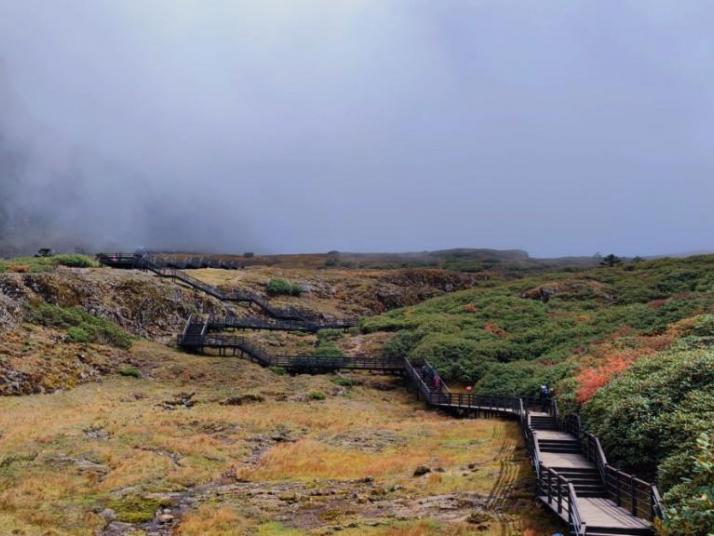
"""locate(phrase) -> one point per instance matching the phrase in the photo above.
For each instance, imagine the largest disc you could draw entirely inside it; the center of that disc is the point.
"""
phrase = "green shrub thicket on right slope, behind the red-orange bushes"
(474, 335)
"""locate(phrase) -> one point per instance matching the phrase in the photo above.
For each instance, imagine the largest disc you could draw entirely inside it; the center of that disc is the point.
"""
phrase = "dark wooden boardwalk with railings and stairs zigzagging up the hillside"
(573, 475)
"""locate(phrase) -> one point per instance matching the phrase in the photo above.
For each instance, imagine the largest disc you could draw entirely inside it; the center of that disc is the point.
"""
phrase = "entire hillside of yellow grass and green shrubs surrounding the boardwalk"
(146, 431)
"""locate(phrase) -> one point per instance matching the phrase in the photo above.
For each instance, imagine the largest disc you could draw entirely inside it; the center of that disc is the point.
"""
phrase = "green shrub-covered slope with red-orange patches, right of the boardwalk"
(631, 345)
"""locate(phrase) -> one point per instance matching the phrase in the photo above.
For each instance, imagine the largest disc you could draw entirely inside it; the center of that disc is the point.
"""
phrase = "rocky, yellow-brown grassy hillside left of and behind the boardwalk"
(117, 433)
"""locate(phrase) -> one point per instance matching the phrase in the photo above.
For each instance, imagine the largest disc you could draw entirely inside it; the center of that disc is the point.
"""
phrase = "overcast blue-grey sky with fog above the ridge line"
(559, 127)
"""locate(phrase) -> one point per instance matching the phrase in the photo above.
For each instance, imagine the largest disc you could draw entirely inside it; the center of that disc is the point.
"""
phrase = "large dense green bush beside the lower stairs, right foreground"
(656, 419)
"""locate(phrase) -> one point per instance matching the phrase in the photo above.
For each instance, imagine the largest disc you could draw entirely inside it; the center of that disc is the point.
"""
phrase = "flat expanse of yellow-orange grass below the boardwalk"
(149, 449)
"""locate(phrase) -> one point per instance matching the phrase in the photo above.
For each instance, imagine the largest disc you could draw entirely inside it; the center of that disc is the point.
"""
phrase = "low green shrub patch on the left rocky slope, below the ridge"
(81, 326)
